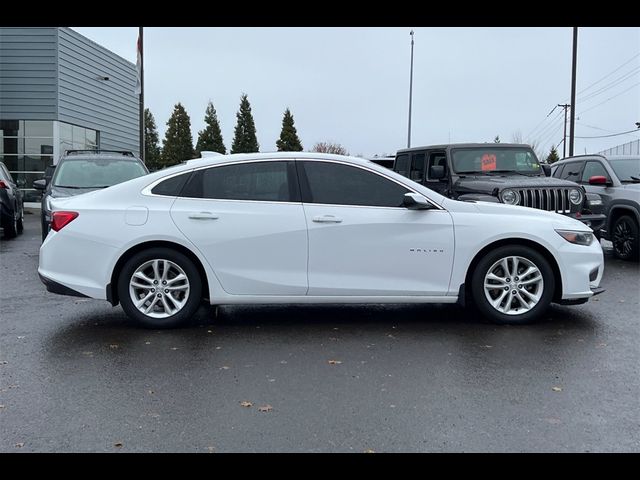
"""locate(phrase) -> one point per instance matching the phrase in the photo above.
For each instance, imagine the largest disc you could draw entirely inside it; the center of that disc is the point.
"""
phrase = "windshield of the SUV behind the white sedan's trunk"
(96, 173)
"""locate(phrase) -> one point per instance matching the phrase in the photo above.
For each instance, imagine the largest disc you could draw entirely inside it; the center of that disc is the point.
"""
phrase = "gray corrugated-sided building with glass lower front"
(60, 91)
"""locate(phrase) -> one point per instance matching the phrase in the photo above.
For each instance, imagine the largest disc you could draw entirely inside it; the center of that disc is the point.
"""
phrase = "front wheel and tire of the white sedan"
(536, 295)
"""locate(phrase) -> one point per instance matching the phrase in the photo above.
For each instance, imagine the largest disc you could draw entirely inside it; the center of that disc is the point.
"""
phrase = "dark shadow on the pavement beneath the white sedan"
(111, 332)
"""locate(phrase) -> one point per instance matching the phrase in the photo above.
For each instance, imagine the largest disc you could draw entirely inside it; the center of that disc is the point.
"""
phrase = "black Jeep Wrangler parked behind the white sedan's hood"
(497, 172)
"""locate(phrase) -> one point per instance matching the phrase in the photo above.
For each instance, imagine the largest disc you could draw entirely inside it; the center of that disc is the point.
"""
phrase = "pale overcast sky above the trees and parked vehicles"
(351, 85)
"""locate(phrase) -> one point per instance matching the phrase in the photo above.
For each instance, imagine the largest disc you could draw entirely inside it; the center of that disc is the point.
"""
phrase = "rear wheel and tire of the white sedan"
(157, 315)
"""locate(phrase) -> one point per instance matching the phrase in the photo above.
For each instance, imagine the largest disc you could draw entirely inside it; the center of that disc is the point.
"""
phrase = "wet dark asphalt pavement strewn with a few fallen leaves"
(76, 377)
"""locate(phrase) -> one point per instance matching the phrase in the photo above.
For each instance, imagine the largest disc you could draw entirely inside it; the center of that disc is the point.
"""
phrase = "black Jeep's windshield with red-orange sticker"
(487, 160)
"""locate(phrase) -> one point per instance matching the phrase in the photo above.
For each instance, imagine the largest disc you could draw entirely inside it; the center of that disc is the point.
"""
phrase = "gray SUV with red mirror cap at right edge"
(617, 180)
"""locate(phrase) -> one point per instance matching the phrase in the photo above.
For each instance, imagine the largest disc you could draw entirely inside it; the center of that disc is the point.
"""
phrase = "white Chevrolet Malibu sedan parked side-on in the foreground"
(309, 228)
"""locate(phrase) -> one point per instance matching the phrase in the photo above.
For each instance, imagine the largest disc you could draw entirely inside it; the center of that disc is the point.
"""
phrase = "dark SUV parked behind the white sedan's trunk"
(82, 171)
